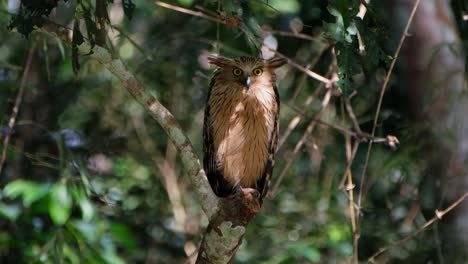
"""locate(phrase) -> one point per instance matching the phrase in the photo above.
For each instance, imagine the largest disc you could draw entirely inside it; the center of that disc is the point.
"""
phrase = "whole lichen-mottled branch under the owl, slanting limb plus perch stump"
(228, 217)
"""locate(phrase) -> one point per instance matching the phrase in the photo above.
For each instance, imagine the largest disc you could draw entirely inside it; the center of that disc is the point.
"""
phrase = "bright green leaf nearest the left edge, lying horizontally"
(27, 190)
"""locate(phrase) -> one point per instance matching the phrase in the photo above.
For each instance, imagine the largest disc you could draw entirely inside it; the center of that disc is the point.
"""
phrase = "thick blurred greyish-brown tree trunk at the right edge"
(438, 100)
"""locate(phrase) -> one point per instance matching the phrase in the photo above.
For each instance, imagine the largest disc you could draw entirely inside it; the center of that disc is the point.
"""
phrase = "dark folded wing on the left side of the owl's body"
(210, 163)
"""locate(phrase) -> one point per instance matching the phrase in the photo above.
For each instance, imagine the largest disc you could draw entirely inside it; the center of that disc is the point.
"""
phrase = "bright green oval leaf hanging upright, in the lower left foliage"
(60, 204)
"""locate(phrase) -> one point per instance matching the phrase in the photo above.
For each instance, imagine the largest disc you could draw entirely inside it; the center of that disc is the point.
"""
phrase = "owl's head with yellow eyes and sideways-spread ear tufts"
(246, 70)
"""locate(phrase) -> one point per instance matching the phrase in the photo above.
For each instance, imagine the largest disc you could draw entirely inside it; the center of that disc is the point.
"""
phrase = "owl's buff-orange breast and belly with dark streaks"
(242, 124)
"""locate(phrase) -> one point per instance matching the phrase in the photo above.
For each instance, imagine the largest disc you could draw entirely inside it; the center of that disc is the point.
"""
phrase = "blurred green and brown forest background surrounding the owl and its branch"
(372, 163)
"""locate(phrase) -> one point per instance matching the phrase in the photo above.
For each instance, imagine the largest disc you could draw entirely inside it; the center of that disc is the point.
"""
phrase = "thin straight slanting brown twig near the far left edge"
(18, 101)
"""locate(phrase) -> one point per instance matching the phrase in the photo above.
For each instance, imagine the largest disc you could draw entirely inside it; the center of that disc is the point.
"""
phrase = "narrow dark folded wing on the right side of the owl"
(264, 182)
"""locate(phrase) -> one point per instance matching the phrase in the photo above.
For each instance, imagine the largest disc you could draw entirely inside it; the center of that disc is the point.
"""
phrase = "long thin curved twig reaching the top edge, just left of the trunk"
(382, 92)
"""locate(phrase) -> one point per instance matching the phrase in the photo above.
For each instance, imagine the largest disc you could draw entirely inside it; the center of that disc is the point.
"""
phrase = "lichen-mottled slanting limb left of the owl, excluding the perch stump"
(209, 201)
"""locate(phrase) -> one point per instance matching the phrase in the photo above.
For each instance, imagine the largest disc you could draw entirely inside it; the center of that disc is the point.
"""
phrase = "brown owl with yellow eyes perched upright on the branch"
(241, 124)
